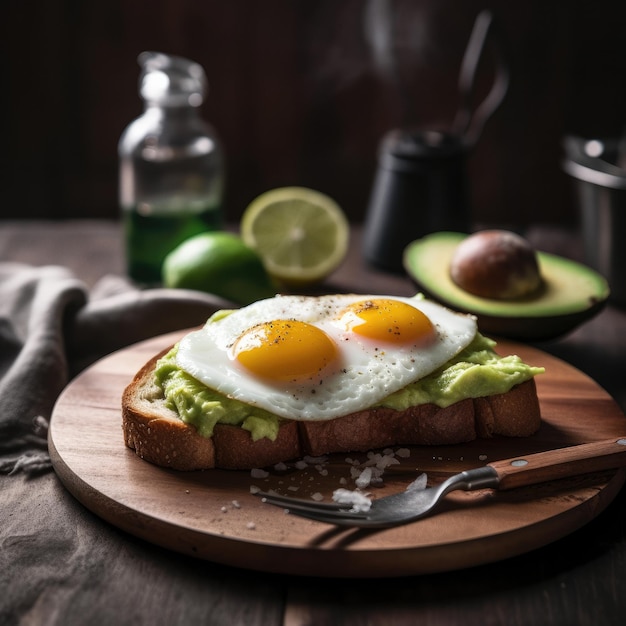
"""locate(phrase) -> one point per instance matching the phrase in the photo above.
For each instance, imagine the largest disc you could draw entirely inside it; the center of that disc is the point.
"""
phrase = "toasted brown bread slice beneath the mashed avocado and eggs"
(157, 434)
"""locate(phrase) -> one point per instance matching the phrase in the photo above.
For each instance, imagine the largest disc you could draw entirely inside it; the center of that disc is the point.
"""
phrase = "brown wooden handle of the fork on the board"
(561, 462)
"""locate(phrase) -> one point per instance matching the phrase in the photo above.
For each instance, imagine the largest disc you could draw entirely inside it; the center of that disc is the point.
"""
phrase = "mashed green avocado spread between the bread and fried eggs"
(475, 372)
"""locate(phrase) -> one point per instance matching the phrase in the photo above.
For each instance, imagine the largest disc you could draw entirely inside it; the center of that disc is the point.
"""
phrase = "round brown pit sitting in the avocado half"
(496, 264)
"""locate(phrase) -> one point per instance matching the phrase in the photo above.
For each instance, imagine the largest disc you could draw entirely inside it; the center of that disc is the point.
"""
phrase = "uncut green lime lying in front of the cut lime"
(219, 263)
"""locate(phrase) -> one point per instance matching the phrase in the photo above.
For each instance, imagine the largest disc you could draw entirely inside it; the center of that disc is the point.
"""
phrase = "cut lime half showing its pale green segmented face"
(302, 235)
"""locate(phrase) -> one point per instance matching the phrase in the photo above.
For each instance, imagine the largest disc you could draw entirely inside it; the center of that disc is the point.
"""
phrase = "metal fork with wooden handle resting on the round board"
(414, 503)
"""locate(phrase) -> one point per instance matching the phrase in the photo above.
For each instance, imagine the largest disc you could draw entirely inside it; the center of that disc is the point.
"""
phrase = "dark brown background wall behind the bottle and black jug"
(301, 92)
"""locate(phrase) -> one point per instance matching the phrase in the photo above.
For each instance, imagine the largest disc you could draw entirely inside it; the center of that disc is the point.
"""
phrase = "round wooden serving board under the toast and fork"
(213, 515)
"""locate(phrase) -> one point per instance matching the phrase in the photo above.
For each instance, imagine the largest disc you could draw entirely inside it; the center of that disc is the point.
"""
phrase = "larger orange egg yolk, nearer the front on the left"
(285, 350)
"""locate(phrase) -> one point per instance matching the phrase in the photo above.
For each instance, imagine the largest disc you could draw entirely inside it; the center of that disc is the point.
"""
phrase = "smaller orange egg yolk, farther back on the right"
(387, 320)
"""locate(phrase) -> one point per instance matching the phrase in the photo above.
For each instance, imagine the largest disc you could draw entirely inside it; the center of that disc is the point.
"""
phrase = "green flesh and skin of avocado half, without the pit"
(571, 294)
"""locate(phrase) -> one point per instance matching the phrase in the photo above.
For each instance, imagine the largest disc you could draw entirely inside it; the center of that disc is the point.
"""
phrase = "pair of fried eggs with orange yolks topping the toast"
(318, 358)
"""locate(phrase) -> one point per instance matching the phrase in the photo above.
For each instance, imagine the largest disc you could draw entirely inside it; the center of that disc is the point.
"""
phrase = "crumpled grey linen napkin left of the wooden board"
(52, 327)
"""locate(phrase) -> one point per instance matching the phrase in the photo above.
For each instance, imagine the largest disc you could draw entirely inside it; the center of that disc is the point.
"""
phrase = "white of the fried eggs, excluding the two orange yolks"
(368, 371)
